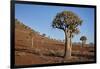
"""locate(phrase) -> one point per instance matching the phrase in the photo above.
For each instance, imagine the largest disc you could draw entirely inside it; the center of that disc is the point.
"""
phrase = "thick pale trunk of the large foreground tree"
(67, 53)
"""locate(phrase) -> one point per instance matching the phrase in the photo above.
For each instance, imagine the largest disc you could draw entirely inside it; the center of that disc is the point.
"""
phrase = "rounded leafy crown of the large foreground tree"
(66, 19)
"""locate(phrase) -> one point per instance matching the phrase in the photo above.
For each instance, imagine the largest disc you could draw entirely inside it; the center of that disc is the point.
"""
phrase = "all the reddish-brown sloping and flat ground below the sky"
(44, 49)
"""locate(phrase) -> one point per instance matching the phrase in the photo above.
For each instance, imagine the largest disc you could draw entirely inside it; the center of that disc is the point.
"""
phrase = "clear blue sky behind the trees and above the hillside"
(40, 17)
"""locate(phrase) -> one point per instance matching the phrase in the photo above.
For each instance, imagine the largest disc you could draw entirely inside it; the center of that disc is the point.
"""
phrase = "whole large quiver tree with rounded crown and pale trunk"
(68, 22)
